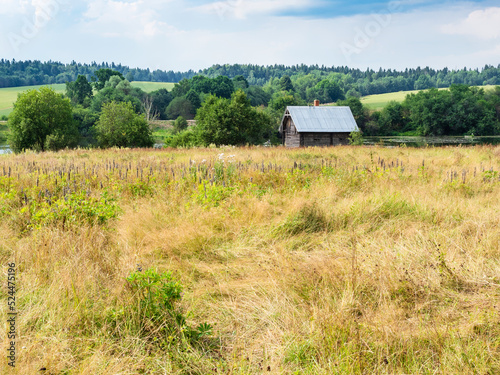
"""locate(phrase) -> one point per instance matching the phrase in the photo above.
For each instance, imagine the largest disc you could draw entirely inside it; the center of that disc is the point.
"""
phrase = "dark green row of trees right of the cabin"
(461, 110)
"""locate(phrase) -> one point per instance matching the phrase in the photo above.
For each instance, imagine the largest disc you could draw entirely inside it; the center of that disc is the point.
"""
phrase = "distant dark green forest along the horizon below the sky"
(354, 82)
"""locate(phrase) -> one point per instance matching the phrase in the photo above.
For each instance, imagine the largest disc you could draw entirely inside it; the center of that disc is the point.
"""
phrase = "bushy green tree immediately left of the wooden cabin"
(231, 121)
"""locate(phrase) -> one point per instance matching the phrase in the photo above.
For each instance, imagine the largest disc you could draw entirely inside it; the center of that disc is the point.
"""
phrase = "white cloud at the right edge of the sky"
(484, 24)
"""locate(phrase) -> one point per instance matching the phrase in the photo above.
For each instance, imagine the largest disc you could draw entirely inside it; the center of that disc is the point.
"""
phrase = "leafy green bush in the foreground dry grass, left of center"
(157, 309)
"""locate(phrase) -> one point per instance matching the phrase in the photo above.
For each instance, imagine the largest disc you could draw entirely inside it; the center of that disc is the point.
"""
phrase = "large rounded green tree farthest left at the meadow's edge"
(42, 120)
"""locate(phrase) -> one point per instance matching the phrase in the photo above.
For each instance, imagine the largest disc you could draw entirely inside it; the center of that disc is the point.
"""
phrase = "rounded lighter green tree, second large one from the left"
(120, 126)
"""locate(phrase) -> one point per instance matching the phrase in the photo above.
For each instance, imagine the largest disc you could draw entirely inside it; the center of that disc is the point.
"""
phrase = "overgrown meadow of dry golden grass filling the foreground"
(254, 260)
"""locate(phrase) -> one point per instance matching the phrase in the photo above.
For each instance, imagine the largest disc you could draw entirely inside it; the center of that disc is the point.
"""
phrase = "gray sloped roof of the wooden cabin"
(323, 119)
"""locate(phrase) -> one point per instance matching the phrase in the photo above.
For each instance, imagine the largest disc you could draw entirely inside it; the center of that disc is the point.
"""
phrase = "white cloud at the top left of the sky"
(133, 20)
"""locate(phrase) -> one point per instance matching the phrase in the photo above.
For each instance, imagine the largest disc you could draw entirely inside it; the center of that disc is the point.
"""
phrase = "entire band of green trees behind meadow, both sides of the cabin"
(108, 111)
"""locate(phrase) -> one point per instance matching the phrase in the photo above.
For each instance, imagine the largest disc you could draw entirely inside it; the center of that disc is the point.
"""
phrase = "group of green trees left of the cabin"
(108, 112)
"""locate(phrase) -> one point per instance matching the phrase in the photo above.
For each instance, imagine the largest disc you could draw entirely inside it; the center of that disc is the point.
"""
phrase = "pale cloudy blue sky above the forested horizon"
(194, 34)
